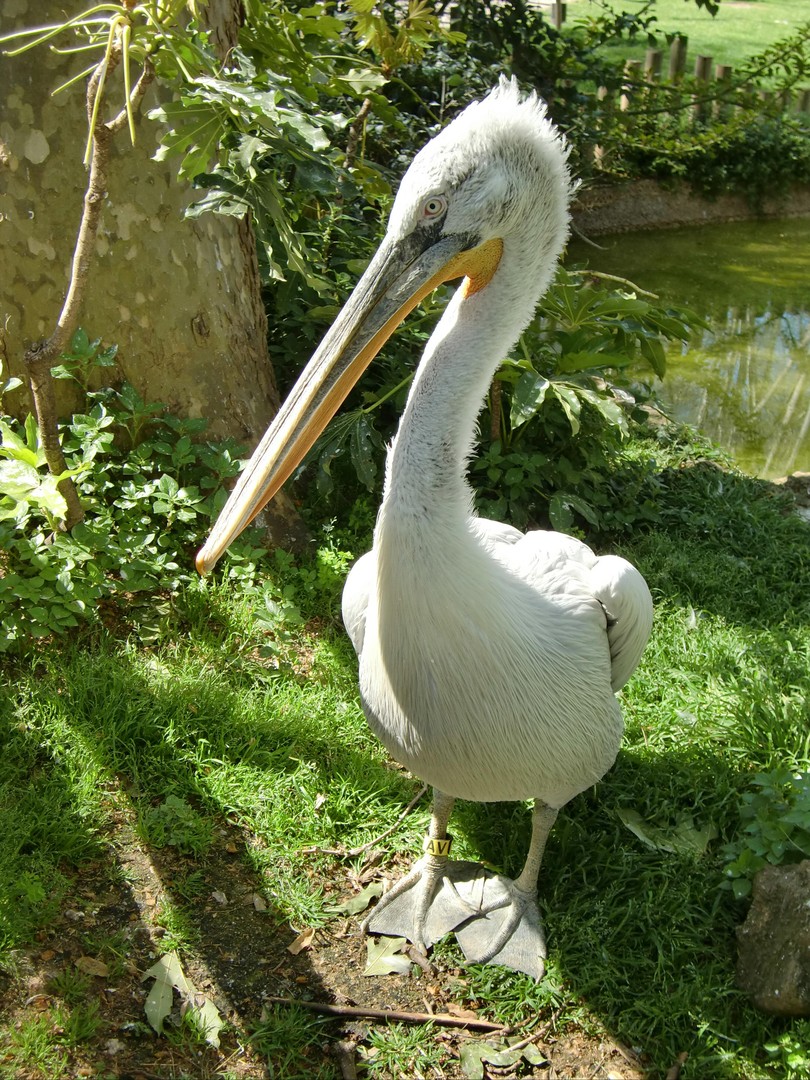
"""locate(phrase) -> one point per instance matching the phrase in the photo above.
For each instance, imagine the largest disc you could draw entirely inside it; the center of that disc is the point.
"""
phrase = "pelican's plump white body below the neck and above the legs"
(474, 641)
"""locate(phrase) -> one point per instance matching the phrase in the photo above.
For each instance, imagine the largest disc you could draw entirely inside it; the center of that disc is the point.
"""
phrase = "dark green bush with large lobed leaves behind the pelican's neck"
(559, 415)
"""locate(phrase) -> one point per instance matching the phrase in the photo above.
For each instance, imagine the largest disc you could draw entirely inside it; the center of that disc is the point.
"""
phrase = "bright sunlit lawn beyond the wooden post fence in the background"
(737, 32)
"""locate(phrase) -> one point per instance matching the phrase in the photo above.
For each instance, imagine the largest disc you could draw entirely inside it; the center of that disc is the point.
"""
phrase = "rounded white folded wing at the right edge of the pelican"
(628, 604)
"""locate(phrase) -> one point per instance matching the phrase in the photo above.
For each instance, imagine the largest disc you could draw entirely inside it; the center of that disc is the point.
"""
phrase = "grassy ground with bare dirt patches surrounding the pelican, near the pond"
(210, 793)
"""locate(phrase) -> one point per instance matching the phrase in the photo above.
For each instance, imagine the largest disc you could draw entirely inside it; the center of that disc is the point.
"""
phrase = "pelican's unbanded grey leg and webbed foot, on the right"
(509, 931)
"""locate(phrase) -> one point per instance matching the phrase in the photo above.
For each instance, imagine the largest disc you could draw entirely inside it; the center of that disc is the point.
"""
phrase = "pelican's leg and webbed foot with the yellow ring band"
(425, 906)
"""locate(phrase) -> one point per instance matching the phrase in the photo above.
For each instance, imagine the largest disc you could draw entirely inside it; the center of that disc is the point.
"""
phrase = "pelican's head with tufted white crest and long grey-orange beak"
(496, 178)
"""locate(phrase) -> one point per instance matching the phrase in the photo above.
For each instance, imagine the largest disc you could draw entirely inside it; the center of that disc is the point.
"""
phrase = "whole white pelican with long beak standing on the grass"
(489, 659)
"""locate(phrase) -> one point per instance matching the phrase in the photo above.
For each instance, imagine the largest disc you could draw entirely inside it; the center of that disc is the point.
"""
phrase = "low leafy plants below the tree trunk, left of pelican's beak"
(151, 492)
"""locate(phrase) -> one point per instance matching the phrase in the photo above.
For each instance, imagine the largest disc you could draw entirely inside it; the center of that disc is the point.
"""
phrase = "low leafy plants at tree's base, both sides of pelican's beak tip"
(151, 488)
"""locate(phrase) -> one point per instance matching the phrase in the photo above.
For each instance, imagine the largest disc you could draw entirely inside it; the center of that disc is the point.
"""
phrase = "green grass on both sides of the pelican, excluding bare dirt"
(199, 730)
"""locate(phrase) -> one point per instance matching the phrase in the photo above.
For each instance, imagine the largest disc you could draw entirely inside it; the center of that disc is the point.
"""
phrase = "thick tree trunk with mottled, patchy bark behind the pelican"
(181, 298)
